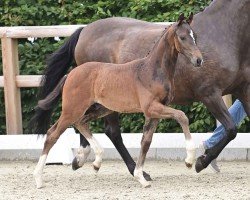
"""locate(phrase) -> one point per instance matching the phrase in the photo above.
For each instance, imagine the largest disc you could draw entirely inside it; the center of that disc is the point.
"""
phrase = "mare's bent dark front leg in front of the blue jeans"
(216, 105)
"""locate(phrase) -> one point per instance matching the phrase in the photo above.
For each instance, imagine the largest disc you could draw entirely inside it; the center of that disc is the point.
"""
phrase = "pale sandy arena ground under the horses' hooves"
(171, 180)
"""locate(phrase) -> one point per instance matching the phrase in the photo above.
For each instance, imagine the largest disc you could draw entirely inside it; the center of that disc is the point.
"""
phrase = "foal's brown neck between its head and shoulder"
(164, 55)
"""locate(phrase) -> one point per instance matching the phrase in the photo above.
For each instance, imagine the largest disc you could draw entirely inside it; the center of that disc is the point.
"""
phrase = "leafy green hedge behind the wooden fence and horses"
(52, 12)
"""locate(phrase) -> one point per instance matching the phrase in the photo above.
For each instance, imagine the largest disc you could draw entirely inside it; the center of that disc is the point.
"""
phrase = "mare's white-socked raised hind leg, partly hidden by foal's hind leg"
(94, 112)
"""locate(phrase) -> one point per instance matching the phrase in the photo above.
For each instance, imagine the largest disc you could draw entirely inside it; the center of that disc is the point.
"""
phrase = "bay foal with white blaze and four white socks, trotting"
(145, 85)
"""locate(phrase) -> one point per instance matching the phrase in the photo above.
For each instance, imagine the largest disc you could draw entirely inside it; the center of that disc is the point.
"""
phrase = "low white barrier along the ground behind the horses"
(164, 146)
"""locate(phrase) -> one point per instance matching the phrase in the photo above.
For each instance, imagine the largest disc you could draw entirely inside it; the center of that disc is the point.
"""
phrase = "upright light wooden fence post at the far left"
(11, 91)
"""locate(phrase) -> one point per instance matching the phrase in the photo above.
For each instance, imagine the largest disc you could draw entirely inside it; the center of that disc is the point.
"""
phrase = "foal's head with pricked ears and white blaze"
(184, 40)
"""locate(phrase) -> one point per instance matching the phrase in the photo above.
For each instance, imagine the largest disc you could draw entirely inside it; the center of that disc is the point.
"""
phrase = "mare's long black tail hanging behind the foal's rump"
(57, 66)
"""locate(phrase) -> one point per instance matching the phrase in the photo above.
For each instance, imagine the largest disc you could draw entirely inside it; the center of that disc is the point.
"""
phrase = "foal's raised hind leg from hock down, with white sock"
(98, 150)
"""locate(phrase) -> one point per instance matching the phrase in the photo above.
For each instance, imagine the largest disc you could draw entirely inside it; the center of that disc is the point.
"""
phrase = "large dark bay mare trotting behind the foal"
(222, 33)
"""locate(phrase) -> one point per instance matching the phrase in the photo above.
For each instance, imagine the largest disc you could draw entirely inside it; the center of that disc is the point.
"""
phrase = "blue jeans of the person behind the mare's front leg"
(238, 114)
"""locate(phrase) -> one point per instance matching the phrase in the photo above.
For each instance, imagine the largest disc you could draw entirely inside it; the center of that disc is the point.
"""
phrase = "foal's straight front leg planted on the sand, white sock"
(148, 130)
